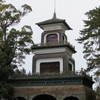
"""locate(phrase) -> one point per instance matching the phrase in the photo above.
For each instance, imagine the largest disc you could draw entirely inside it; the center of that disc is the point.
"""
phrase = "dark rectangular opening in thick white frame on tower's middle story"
(50, 67)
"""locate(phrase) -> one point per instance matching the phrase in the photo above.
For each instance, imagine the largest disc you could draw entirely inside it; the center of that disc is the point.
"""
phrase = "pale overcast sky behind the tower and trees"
(73, 11)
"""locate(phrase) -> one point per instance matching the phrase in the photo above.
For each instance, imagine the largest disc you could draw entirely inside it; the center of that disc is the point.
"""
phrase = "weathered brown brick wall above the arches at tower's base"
(58, 92)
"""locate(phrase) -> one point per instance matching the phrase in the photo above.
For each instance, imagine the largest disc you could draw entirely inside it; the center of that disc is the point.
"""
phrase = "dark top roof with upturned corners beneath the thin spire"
(54, 20)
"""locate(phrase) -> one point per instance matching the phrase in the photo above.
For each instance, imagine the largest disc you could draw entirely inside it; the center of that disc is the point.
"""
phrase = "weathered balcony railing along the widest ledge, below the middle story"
(54, 74)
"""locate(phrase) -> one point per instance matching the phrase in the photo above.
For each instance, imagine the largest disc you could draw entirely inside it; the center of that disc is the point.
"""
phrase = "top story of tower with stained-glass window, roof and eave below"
(53, 34)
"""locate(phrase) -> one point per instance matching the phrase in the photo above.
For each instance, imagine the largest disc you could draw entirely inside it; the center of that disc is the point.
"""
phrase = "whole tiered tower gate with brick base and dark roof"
(53, 68)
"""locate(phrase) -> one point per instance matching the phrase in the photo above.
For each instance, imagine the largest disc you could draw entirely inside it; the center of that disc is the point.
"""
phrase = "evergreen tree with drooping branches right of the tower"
(90, 37)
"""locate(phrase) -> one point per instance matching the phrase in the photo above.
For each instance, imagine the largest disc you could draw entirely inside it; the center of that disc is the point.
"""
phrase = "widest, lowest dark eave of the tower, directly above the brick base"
(59, 76)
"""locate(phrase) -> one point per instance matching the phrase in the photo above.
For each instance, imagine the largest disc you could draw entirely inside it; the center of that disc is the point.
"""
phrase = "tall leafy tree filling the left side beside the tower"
(14, 44)
